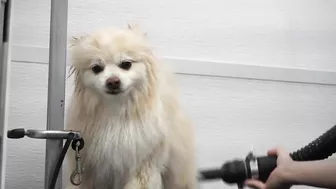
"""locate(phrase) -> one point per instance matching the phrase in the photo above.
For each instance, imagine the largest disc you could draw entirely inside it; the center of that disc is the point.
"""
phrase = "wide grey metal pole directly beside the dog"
(56, 85)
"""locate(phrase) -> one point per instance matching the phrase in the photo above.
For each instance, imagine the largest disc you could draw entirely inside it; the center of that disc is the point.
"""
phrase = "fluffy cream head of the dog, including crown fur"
(112, 62)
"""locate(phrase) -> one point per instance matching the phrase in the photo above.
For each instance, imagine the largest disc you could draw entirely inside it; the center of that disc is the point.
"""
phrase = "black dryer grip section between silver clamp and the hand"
(266, 164)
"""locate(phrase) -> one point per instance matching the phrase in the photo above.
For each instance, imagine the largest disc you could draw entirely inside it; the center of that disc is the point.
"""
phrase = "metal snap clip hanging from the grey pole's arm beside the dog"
(77, 174)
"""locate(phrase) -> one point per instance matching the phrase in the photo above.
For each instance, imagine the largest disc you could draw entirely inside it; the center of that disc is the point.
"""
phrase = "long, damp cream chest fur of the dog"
(115, 147)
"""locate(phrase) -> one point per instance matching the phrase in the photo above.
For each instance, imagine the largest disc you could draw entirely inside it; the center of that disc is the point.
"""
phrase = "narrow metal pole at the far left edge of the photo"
(6, 18)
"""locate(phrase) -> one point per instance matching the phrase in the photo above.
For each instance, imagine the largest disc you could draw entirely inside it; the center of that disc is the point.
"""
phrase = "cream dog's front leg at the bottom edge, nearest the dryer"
(146, 178)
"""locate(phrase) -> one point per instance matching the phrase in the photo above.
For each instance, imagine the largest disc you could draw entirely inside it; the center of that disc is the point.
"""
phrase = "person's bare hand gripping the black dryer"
(277, 179)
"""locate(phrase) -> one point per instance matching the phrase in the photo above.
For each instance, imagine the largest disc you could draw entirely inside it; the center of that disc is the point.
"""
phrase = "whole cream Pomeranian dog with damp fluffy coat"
(126, 105)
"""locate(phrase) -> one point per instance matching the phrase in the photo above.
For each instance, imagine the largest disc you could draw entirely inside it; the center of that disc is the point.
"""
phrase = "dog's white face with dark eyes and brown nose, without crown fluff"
(115, 74)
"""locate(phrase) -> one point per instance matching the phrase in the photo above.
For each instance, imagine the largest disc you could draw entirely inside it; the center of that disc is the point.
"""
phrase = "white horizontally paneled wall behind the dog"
(259, 72)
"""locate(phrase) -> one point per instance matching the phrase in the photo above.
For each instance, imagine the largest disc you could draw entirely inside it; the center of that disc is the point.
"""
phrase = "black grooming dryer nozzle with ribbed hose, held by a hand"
(238, 170)
